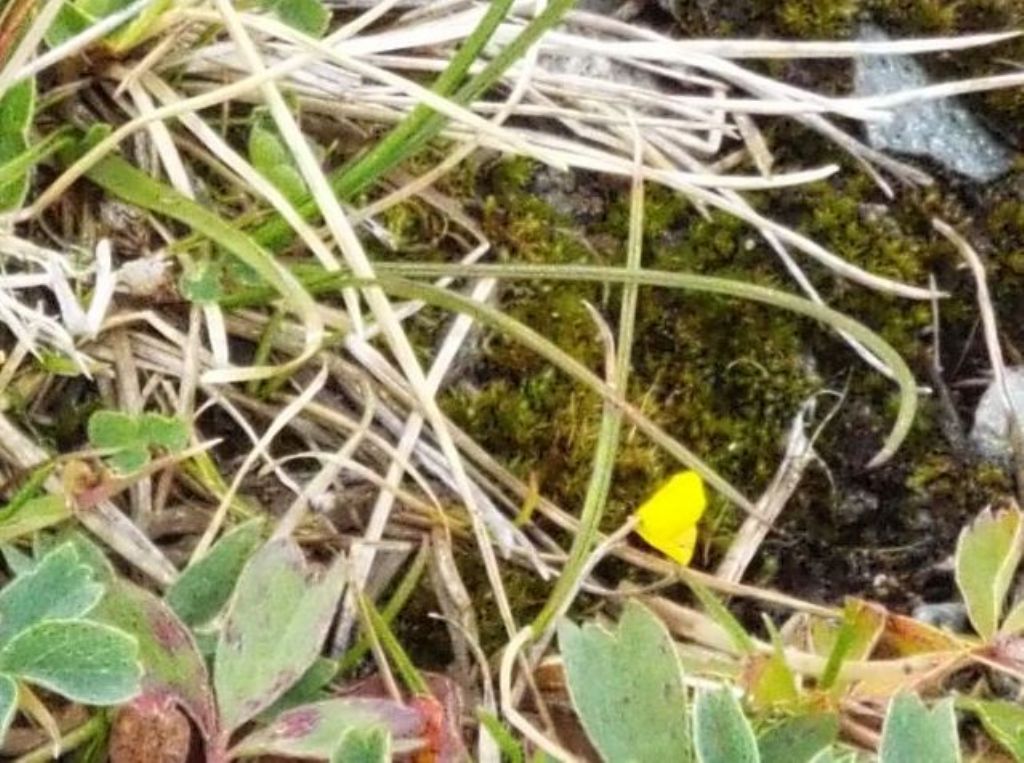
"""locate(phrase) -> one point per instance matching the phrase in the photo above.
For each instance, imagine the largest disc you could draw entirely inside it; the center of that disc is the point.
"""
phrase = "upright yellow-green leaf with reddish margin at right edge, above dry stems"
(988, 556)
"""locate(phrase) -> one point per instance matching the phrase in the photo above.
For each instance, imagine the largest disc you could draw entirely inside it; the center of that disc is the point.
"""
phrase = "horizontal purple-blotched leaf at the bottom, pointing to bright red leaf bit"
(314, 731)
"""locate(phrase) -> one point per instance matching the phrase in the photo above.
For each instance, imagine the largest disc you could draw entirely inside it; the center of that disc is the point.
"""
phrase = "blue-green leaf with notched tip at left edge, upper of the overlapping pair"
(59, 587)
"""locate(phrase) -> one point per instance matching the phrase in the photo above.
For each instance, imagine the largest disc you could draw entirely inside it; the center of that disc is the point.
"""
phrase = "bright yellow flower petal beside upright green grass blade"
(669, 520)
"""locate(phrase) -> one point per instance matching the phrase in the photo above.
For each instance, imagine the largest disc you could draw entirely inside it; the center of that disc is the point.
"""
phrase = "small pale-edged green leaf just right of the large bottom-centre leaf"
(721, 732)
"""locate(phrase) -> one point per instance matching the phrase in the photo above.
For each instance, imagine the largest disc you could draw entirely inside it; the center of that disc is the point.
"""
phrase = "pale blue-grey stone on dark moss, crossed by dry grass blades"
(943, 130)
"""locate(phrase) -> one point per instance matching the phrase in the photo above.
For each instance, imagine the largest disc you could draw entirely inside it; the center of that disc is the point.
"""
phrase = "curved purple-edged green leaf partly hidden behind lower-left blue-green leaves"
(172, 663)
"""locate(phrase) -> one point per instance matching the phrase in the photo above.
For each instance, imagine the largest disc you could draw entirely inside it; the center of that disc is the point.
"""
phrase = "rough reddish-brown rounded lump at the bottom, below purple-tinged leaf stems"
(149, 730)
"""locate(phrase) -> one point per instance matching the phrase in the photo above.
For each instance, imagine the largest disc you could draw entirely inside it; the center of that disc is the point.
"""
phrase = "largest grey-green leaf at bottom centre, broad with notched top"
(627, 687)
